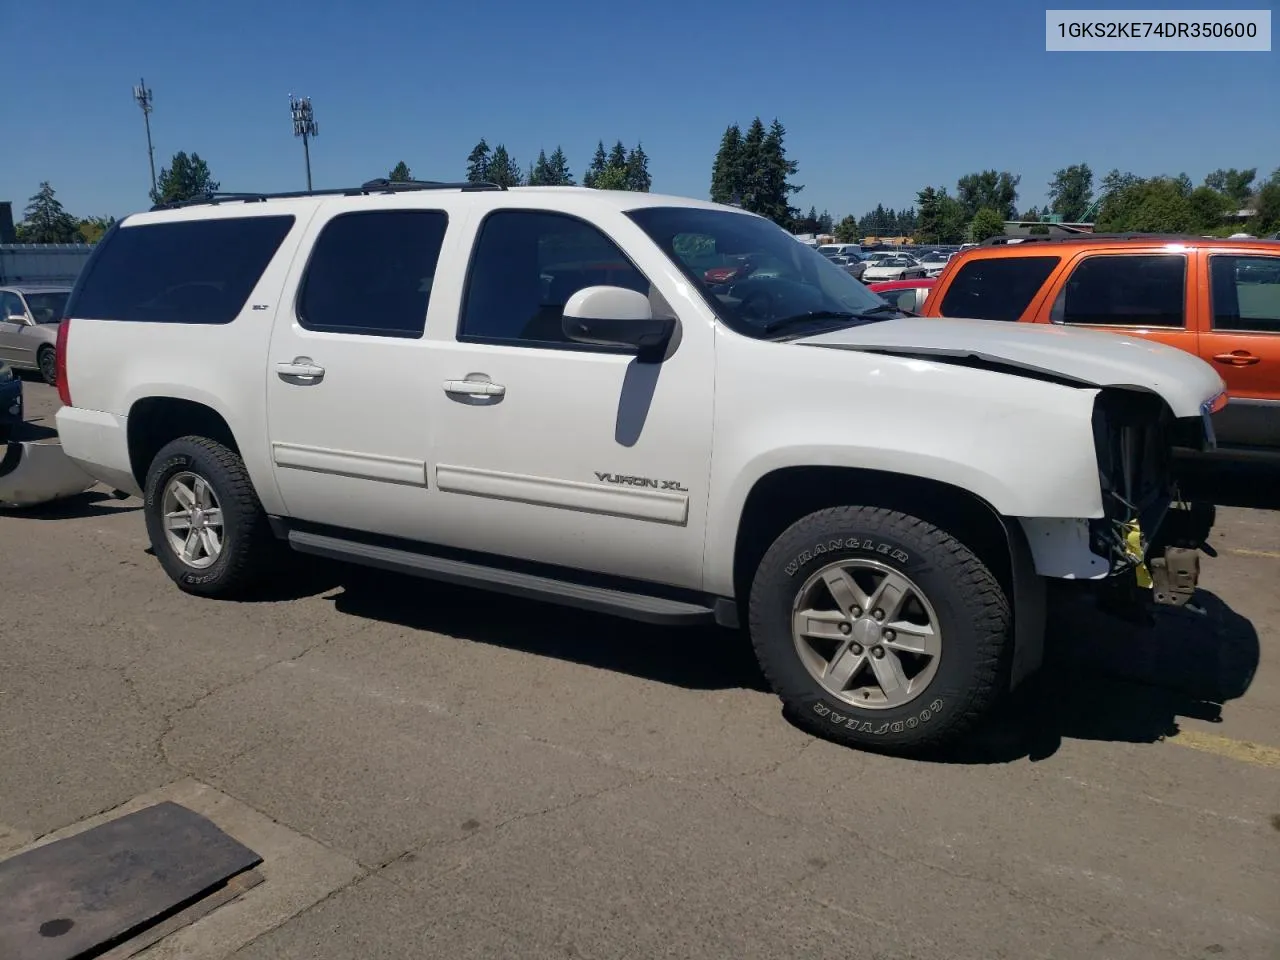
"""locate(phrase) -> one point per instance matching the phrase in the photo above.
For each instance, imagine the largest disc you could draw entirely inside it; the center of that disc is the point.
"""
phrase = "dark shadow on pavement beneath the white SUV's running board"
(698, 659)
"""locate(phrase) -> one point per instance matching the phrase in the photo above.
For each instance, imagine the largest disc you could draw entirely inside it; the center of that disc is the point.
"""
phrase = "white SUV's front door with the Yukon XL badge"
(552, 451)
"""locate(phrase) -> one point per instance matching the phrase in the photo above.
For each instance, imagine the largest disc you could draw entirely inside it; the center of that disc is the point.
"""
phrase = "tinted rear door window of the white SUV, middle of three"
(372, 273)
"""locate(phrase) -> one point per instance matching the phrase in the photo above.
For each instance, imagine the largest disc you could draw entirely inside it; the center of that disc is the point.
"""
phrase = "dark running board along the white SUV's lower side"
(620, 604)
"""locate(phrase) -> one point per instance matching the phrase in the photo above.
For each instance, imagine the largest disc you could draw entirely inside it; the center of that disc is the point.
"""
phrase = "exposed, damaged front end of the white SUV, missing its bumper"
(1150, 534)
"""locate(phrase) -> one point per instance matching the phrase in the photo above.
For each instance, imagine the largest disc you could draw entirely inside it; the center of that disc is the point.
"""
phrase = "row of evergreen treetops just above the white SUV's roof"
(615, 170)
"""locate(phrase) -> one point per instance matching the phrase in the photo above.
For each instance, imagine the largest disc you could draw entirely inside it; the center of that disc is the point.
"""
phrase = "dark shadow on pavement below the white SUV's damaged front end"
(1110, 680)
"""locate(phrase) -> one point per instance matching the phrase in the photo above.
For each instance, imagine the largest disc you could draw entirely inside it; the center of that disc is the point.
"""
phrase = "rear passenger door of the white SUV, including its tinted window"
(346, 388)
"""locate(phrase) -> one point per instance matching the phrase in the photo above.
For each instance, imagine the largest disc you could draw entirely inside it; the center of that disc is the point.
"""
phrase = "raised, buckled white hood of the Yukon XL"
(1086, 356)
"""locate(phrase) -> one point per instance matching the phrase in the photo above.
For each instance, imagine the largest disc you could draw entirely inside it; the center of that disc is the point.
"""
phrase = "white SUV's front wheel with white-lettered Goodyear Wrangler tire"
(941, 584)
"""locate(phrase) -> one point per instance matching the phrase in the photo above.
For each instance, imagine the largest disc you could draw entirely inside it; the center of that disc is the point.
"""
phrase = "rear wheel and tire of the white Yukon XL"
(245, 541)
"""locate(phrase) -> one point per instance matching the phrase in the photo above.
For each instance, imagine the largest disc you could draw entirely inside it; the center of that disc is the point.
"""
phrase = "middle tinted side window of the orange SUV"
(1126, 291)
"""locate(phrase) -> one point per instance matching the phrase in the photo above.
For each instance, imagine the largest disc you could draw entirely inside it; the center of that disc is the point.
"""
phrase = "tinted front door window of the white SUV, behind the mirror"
(527, 266)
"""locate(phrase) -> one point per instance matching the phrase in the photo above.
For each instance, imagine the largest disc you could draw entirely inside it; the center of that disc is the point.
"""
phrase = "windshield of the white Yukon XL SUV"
(752, 272)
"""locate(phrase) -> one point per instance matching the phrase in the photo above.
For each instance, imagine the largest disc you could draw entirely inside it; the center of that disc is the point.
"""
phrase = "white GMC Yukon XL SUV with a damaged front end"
(564, 394)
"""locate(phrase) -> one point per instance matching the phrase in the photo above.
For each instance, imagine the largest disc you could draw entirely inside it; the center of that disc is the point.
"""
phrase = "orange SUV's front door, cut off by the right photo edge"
(1242, 340)
